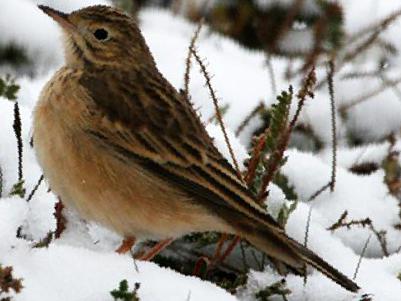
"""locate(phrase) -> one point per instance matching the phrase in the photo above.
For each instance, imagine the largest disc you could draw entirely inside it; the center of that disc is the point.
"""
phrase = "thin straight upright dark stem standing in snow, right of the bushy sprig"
(330, 75)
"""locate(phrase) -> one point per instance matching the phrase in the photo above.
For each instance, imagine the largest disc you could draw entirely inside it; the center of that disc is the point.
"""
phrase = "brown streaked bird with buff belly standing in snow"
(121, 146)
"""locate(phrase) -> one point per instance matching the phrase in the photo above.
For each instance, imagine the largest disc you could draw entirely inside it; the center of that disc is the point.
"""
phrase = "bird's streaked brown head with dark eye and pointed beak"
(101, 36)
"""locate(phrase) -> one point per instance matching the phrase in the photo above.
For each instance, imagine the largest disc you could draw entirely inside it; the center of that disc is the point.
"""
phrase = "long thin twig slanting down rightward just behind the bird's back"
(217, 109)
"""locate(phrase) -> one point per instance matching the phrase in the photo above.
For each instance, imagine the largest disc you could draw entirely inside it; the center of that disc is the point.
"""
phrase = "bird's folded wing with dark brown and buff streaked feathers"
(143, 118)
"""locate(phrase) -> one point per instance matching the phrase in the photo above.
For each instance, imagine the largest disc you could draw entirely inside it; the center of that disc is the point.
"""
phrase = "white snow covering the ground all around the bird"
(82, 264)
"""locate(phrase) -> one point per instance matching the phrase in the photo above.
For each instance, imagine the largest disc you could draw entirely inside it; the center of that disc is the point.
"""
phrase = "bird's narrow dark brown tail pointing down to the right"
(280, 246)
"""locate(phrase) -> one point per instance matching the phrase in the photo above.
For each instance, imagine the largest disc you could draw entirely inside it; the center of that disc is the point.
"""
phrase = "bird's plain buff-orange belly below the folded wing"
(103, 189)
